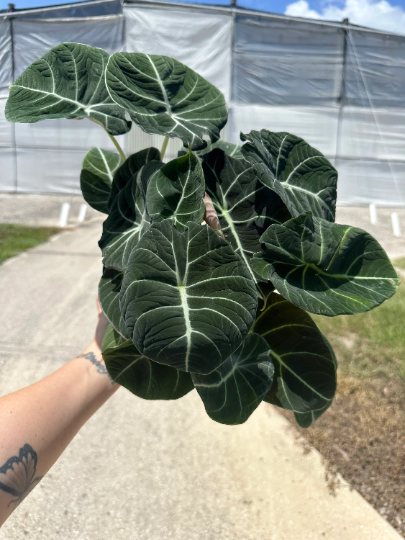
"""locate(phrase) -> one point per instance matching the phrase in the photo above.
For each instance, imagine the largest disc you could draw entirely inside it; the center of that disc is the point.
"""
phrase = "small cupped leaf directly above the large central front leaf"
(176, 191)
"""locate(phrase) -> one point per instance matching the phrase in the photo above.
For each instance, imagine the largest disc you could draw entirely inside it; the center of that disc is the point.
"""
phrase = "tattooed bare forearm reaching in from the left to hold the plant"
(38, 422)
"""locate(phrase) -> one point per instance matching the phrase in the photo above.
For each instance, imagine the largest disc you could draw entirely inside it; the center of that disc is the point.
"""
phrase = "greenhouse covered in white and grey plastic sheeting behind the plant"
(337, 85)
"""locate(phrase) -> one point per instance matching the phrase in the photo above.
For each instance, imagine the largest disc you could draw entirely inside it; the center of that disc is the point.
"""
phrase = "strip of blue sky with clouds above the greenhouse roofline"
(380, 14)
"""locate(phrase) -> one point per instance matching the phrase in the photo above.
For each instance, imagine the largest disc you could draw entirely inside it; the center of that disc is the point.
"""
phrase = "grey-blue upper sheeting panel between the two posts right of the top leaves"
(284, 62)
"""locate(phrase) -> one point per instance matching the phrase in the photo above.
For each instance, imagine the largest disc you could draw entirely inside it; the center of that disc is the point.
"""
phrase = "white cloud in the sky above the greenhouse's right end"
(381, 14)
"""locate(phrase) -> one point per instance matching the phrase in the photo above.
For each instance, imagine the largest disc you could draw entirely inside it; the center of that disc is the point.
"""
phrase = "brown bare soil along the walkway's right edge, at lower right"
(362, 437)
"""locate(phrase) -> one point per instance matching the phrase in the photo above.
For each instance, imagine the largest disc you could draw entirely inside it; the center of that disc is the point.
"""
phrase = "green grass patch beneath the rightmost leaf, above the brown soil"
(370, 344)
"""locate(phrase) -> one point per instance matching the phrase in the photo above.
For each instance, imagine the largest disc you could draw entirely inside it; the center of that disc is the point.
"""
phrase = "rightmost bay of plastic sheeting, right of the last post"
(371, 146)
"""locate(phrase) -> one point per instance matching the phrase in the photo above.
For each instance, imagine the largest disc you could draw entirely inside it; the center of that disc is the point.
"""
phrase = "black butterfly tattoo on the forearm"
(17, 475)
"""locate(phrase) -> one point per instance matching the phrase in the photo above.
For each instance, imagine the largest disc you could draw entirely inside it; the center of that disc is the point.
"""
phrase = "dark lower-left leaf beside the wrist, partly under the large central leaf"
(141, 376)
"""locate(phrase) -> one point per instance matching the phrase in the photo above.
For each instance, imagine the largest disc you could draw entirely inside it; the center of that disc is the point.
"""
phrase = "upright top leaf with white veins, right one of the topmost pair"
(165, 97)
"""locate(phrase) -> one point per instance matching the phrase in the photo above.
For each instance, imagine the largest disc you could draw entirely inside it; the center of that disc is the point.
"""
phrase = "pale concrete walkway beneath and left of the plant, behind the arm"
(145, 470)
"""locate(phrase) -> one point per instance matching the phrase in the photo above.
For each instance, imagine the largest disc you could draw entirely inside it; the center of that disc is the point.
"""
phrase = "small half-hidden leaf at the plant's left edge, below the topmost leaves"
(96, 177)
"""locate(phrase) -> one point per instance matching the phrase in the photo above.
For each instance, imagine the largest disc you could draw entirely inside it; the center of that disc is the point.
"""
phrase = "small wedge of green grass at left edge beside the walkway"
(17, 238)
